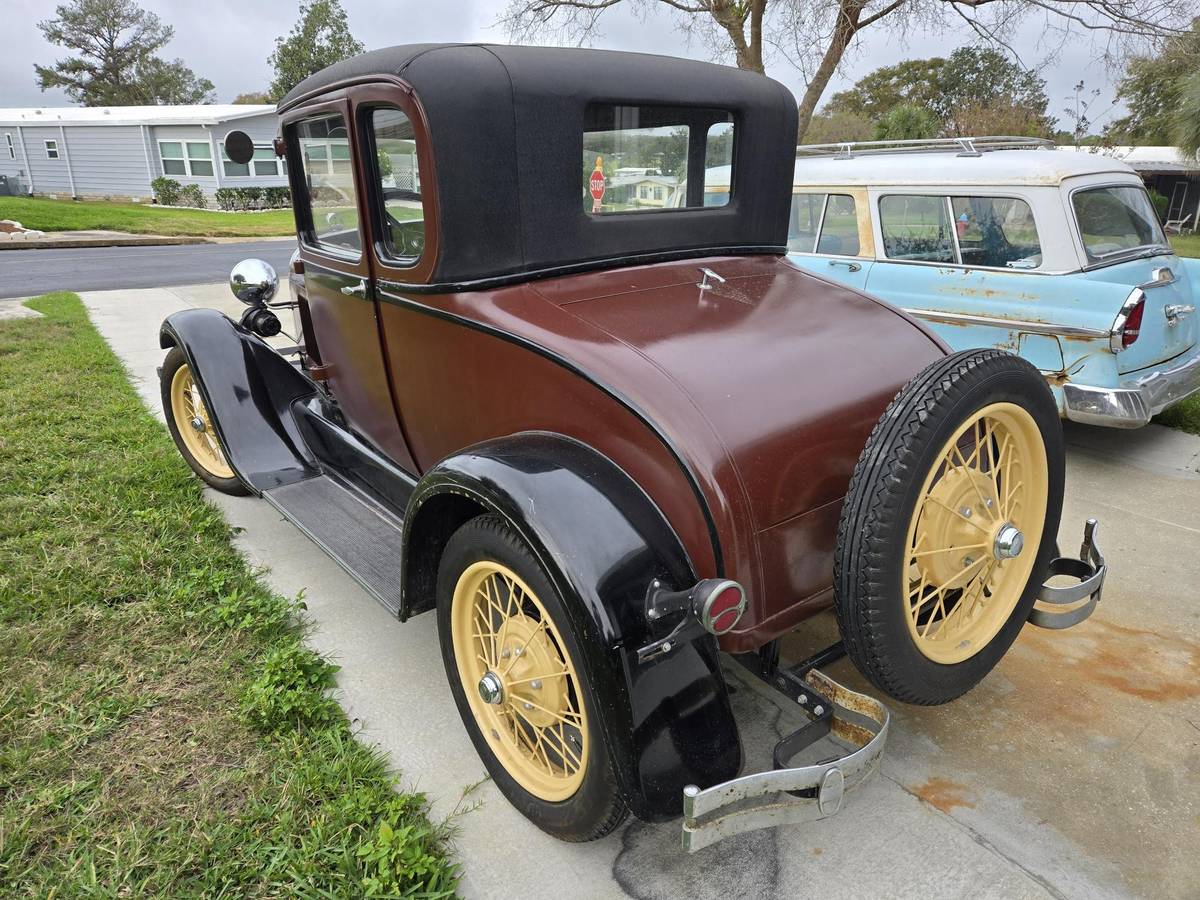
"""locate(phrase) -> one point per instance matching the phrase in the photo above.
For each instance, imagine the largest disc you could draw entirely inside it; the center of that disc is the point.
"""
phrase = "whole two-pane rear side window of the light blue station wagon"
(992, 232)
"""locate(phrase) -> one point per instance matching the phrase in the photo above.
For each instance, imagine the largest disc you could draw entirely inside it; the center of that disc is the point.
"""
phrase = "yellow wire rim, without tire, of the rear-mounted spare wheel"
(985, 499)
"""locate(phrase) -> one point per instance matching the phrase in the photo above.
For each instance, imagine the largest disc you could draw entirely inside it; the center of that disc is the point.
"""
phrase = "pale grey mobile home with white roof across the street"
(117, 152)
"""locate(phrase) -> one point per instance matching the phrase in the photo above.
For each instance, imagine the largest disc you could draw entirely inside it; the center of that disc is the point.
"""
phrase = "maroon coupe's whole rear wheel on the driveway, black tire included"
(538, 734)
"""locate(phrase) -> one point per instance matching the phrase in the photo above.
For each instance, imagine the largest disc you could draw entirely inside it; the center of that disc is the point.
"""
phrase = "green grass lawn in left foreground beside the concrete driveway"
(164, 729)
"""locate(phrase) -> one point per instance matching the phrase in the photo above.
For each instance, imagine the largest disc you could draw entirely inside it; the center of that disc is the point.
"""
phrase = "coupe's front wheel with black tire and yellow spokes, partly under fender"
(199, 445)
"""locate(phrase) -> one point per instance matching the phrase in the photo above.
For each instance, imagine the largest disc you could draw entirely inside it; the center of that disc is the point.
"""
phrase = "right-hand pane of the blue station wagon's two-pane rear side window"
(998, 232)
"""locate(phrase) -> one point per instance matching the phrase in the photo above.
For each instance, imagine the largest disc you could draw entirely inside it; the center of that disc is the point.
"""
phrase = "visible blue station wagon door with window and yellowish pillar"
(830, 235)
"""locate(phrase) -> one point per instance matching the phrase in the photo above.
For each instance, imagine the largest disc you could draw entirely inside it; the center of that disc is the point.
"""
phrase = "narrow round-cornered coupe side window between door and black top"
(399, 182)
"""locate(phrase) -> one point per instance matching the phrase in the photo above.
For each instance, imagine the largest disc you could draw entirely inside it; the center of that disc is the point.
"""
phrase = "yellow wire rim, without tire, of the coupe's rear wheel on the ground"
(520, 681)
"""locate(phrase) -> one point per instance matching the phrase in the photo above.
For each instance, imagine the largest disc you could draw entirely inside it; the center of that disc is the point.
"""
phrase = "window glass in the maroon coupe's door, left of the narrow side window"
(329, 178)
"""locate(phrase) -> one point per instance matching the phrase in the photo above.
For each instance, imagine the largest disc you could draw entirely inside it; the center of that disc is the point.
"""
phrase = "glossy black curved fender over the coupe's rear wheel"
(603, 542)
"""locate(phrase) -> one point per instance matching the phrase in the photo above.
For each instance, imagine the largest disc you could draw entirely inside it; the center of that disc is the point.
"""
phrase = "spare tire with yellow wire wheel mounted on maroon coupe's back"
(950, 526)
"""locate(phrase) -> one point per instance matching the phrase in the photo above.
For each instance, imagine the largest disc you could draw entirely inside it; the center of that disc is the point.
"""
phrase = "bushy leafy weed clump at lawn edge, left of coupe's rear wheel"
(291, 692)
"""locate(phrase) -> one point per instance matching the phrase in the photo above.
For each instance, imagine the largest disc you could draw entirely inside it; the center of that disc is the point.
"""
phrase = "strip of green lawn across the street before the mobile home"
(49, 215)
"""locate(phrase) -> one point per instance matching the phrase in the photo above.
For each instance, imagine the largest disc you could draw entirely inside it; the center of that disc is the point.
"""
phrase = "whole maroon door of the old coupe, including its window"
(328, 196)
